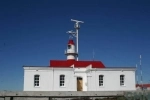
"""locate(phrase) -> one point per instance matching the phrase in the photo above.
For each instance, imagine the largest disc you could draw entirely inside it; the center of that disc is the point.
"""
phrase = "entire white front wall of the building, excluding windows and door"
(49, 79)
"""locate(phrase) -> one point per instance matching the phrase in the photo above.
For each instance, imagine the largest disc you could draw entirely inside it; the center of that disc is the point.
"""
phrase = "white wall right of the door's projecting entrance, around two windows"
(111, 81)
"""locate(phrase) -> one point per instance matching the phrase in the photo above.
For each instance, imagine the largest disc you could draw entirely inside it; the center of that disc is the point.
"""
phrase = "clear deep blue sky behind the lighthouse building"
(34, 32)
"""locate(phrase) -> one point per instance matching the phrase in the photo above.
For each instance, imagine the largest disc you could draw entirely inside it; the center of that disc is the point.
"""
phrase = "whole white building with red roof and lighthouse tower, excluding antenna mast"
(72, 75)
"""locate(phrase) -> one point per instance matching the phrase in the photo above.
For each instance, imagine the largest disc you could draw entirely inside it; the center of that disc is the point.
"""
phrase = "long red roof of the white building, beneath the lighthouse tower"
(68, 63)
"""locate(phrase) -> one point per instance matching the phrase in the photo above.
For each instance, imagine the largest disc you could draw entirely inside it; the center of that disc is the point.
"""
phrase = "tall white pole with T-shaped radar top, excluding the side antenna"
(77, 27)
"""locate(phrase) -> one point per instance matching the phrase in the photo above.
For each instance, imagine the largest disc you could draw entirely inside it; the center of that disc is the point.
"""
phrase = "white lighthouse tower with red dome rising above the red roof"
(71, 51)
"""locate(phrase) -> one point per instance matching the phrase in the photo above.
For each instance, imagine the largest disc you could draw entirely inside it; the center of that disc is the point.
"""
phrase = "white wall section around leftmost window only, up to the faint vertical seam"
(45, 80)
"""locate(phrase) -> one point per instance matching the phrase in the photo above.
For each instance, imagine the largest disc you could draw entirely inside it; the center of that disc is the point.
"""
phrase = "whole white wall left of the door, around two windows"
(46, 79)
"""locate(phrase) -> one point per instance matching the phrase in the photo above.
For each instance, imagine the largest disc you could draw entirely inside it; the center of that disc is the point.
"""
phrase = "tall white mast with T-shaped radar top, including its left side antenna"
(75, 34)
